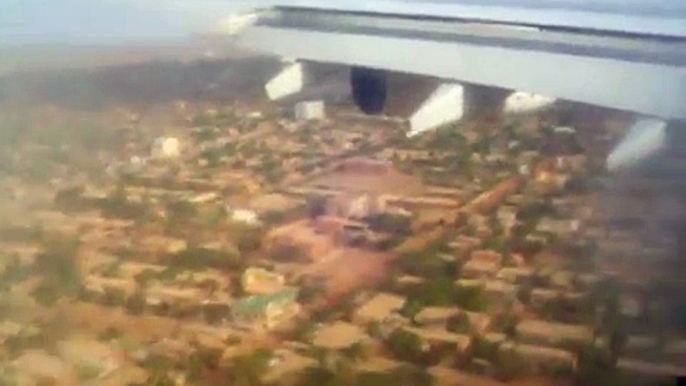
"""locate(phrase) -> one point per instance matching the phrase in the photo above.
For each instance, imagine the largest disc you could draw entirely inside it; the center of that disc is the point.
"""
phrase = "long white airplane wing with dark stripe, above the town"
(621, 54)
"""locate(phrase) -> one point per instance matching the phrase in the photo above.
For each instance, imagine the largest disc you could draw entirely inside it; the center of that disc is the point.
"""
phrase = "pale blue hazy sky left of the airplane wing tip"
(110, 21)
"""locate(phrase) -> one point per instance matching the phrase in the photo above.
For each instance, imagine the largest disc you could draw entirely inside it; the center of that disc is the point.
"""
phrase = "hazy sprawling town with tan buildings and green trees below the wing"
(154, 235)
